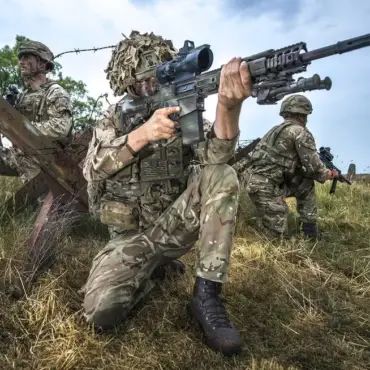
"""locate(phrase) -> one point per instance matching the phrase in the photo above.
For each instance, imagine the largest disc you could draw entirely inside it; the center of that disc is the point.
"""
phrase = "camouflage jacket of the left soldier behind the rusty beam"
(48, 108)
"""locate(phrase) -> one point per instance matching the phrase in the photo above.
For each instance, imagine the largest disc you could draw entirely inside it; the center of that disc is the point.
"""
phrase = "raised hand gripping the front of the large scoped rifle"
(235, 83)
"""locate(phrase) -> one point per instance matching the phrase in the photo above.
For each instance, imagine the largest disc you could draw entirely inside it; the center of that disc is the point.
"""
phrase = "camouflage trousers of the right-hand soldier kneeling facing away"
(269, 199)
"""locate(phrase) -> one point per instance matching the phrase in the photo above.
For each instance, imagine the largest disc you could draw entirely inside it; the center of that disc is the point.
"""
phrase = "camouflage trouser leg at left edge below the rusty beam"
(16, 160)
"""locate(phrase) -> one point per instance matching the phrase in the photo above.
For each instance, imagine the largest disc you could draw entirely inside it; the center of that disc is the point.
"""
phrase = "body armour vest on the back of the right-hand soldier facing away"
(267, 153)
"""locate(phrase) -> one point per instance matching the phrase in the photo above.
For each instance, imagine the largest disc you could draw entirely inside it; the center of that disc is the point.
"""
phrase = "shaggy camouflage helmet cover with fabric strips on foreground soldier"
(135, 59)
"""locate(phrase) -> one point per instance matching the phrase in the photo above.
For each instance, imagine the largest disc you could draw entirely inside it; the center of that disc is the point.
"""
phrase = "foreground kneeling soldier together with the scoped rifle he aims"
(139, 165)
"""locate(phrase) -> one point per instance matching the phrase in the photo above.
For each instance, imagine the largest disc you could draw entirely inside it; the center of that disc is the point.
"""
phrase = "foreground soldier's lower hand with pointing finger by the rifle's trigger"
(160, 126)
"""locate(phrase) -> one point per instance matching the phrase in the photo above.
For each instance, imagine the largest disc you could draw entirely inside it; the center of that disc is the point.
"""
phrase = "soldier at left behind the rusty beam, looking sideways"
(45, 103)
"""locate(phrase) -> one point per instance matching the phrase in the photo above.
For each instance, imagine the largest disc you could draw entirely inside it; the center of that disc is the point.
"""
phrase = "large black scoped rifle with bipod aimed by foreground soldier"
(183, 83)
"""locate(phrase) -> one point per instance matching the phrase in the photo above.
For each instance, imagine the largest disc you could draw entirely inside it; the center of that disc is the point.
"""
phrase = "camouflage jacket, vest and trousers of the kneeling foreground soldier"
(156, 207)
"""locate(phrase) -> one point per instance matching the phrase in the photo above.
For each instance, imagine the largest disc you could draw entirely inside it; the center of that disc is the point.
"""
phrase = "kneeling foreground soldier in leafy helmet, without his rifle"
(155, 202)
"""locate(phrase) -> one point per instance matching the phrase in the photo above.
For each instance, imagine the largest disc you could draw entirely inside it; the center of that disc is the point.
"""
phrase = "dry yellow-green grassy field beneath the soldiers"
(298, 305)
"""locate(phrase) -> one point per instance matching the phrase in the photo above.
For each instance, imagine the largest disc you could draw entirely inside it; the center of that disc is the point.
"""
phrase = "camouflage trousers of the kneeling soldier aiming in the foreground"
(120, 276)
